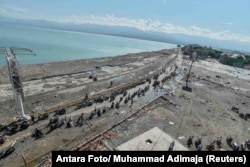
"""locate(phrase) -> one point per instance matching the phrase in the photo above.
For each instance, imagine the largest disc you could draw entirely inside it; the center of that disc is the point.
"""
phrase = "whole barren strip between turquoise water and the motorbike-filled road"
(39, 93)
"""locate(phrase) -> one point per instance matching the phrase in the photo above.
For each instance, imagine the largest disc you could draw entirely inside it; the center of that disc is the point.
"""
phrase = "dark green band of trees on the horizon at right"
(208, 52)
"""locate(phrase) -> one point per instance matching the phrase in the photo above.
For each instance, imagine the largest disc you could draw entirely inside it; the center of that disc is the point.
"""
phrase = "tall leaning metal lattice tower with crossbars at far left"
(14, 74)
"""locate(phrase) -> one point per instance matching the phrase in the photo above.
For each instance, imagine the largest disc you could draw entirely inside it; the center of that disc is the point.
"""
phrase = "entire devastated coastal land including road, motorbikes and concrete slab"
(160, 100)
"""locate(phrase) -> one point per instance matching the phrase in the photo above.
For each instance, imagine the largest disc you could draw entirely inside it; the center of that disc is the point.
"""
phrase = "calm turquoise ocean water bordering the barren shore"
(52, 45)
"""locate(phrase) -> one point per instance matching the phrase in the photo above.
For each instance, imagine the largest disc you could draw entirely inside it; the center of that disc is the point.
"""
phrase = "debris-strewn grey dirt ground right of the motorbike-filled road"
(205, 112)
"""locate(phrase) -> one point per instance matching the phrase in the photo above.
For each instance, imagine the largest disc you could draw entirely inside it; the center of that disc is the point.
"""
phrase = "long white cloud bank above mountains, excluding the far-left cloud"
(154, 25)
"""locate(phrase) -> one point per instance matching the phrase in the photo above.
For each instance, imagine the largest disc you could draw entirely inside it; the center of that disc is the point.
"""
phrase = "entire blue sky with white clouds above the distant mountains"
(215, 19)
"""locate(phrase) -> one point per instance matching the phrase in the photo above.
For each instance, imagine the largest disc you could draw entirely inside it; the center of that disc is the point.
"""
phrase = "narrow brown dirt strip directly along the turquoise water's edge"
(37, 71)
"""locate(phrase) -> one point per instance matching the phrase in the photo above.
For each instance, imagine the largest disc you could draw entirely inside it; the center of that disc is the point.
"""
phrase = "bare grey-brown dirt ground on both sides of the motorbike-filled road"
(205, 112)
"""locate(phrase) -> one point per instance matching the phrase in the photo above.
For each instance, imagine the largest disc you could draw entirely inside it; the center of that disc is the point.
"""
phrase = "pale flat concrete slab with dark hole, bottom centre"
(153, 139)
